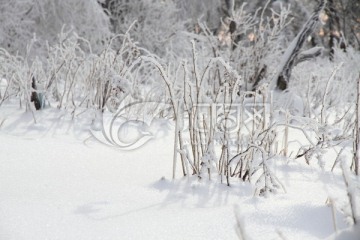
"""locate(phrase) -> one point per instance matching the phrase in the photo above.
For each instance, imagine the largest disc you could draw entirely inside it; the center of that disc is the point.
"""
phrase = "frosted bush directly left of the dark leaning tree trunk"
(262, 40)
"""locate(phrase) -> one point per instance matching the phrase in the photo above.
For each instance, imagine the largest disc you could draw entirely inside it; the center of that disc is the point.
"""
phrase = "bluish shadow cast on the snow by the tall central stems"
(186, 193)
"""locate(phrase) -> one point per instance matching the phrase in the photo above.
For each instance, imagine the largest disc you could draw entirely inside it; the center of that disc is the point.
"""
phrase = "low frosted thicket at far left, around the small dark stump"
(71, 77)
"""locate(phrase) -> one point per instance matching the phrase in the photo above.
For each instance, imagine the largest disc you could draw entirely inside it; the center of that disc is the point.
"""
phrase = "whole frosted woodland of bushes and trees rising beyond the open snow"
(241, 84)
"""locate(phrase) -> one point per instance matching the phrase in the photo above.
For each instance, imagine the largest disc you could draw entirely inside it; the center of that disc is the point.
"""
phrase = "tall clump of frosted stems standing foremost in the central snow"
(209, 107)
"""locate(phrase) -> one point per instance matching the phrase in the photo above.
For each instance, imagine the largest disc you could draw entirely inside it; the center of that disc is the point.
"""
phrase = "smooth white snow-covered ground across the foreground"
(56, 183)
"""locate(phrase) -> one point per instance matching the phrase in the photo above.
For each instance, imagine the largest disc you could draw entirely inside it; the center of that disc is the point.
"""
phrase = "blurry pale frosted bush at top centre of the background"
(156, 25)
